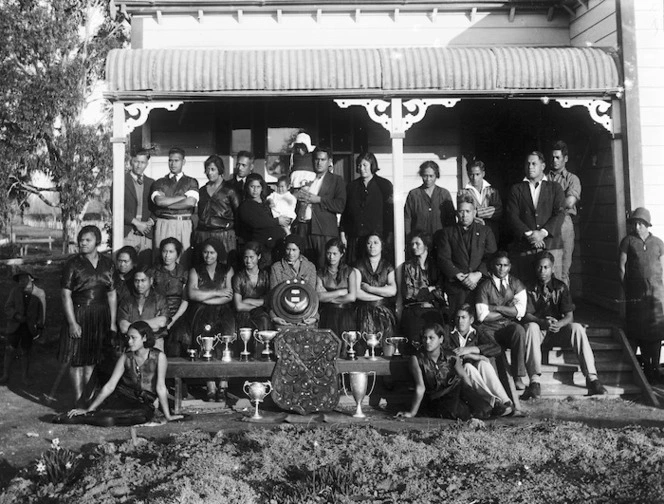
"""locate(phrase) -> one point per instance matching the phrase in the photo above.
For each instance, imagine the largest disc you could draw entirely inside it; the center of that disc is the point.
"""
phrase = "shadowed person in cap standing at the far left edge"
(25, 310)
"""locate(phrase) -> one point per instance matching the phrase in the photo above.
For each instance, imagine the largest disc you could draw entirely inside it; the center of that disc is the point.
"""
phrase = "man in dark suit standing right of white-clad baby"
(318, 206)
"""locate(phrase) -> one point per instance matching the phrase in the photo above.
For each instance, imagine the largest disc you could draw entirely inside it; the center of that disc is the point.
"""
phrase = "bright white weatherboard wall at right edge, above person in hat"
(649, 34)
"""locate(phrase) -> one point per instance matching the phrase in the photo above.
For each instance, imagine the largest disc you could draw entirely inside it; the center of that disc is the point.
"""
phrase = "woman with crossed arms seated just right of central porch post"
(422, 296)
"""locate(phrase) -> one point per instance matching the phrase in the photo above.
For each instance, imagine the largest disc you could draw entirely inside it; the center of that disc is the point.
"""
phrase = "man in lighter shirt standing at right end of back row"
(572, 189)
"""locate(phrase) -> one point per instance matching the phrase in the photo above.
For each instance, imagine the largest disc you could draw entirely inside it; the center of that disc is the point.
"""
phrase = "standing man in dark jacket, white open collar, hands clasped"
(535, 213)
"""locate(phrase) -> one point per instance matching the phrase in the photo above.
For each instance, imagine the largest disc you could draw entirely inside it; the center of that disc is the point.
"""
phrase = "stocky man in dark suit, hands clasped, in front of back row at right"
(463, 252)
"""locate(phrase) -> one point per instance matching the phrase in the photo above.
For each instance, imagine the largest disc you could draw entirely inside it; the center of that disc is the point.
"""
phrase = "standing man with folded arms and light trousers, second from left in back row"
(175, 197)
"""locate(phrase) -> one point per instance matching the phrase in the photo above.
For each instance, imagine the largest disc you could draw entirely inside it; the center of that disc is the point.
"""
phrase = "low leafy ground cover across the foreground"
(540, 462)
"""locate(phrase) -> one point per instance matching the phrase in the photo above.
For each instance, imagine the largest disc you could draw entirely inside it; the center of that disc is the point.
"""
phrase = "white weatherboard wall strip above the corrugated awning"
(260, 30)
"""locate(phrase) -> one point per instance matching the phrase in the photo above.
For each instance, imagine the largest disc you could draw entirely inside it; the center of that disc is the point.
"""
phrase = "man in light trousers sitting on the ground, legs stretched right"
(476, 349)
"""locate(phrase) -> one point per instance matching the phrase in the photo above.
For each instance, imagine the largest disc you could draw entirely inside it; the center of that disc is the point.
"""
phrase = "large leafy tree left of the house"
(52, 55)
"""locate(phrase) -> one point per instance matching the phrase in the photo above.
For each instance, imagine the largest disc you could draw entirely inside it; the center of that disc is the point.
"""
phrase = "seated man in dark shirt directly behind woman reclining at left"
(146, 305)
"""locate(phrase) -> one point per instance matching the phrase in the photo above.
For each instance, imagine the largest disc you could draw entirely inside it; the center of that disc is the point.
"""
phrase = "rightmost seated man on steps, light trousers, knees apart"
(550, 322)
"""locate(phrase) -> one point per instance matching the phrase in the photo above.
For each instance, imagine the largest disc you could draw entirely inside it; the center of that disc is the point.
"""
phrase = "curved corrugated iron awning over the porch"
(198, 73)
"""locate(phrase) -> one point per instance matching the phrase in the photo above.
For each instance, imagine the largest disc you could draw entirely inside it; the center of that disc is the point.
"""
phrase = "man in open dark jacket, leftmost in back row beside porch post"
(138, 219)
